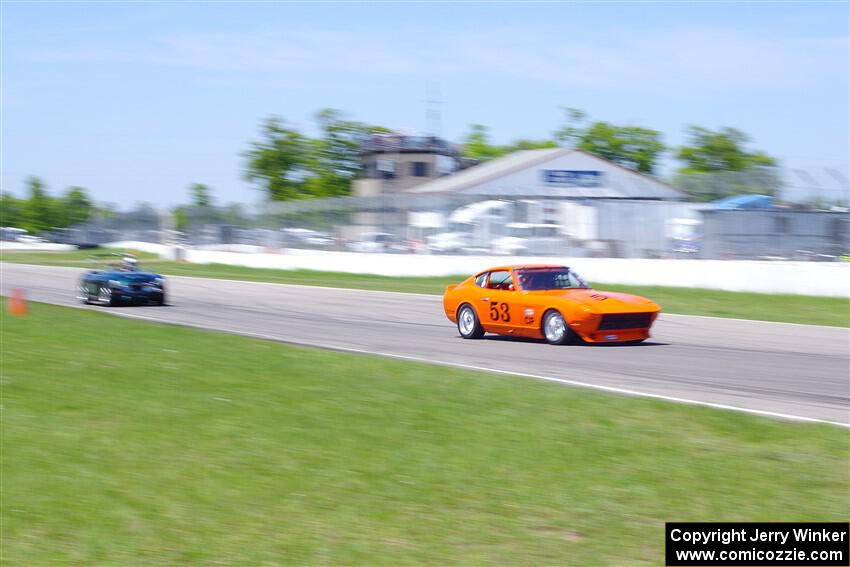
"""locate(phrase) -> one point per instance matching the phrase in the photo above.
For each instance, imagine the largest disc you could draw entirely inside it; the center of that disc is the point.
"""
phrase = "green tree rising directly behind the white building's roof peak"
(634, 147)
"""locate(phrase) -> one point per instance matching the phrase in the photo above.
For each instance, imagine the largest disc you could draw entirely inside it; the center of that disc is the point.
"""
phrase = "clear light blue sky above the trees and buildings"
(135, 101)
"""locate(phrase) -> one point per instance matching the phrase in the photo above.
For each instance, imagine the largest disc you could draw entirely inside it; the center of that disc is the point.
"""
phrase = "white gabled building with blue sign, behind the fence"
(597, 204)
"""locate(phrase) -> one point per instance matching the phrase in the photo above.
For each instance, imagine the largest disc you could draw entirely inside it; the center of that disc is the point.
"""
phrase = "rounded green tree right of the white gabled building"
(722, 150)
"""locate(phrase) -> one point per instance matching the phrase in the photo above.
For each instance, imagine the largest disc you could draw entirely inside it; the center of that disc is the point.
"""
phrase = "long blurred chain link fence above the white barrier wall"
(405, 223)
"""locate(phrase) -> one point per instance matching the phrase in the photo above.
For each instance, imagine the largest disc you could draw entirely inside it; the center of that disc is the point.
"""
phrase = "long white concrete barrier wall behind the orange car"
(799, 278)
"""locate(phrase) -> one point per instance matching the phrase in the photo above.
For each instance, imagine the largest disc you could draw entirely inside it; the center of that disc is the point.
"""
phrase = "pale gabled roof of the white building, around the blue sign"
(473, 181)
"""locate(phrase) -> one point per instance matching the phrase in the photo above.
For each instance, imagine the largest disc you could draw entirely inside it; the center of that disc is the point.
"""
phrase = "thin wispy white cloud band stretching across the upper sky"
(668, 61)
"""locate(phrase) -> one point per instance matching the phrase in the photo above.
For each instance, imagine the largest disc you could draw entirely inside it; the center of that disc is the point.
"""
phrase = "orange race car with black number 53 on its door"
(548, 302)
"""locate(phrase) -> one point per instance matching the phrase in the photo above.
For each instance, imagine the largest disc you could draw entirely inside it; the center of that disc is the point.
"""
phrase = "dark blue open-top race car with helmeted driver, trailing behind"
(121, 283)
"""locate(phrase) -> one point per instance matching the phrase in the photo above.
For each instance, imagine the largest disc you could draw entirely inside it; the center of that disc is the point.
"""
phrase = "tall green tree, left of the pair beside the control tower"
(278, 161)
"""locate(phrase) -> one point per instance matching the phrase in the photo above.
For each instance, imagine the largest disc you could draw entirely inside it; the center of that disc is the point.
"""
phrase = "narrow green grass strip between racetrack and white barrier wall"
(766, 307)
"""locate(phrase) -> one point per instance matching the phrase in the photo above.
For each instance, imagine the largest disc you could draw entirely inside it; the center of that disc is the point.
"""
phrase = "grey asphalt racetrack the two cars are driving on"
(799, 371)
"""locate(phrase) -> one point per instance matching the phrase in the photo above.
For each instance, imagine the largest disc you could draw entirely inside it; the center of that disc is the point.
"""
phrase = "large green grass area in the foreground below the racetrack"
(131, 443)
